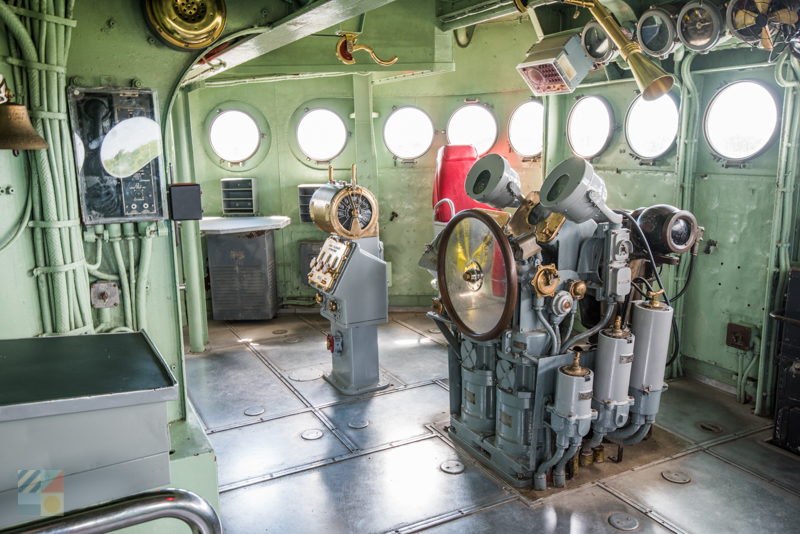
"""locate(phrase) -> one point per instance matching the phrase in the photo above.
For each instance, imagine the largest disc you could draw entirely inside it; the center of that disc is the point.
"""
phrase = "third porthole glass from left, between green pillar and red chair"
(408, 132)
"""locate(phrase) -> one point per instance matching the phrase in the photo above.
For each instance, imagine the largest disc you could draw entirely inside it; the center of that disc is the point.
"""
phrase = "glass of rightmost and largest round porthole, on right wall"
(741, 120)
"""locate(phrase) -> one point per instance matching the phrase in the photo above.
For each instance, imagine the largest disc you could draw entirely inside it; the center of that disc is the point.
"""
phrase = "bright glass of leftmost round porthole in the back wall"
(234, 136)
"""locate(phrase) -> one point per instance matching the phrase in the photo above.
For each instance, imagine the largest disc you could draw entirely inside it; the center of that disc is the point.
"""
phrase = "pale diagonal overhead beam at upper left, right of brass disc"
(316, 16)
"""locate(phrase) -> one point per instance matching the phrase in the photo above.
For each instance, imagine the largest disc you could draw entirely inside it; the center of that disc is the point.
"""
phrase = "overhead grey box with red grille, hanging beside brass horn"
(555, 65)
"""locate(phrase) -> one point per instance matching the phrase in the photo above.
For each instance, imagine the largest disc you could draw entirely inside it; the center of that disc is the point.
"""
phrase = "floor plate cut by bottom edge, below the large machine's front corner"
(584, 511)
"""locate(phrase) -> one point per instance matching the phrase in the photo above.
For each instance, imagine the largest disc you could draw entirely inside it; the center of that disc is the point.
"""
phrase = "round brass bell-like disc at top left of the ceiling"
(186, 24)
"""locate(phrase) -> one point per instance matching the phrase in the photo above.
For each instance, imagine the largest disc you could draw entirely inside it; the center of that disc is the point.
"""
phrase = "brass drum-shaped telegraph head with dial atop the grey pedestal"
(346, 210)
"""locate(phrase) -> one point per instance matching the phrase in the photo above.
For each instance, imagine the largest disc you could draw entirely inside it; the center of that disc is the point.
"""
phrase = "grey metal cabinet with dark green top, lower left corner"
(88, 410)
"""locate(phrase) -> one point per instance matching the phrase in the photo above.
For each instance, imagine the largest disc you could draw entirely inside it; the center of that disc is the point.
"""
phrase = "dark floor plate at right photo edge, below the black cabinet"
(764, 459)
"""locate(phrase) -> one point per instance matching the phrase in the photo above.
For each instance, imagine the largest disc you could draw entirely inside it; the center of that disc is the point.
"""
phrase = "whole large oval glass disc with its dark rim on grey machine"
(477, 275)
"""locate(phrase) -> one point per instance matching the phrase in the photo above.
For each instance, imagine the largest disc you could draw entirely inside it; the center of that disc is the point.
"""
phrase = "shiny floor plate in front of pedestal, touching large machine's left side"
(392, 417)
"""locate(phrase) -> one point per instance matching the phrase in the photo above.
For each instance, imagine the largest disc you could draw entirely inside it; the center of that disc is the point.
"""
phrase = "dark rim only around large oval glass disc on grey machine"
(511, 275)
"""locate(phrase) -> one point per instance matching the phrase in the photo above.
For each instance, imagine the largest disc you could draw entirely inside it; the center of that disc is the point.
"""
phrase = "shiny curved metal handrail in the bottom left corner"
(128, 511)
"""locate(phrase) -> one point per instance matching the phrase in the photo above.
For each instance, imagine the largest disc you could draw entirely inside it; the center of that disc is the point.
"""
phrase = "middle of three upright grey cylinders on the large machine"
(612, 366)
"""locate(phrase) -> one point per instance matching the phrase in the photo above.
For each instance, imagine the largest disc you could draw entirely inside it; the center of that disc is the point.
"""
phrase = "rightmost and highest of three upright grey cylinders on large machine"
(651, 326)
